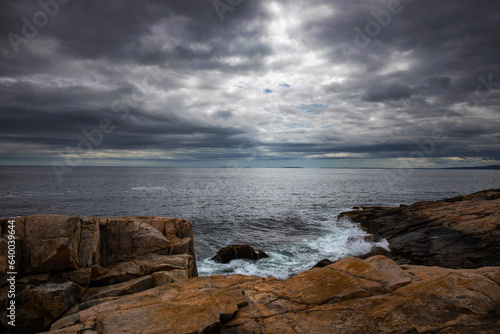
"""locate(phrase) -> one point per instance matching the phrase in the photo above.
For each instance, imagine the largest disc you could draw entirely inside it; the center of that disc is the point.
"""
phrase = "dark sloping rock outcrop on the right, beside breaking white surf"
(459, 232)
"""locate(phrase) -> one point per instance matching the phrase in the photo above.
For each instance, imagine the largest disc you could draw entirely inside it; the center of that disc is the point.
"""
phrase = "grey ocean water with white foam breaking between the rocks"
(289, 213)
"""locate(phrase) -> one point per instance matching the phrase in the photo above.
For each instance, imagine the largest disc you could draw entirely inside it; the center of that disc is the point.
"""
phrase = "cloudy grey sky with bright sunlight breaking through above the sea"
(247, 83)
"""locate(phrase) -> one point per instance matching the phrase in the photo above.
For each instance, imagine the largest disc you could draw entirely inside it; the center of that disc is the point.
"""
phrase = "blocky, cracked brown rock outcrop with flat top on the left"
(65, 264)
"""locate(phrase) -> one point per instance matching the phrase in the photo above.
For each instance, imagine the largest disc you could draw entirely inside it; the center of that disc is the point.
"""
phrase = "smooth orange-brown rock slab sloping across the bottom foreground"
(375, 295)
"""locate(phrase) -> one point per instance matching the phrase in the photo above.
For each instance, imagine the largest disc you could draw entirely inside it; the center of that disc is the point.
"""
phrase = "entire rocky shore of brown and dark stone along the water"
(138, 275)
